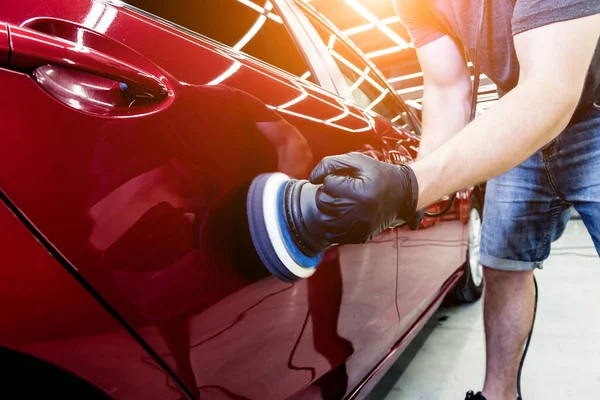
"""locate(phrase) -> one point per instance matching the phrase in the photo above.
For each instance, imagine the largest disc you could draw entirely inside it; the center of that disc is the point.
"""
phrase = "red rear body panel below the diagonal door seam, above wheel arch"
(47, 314)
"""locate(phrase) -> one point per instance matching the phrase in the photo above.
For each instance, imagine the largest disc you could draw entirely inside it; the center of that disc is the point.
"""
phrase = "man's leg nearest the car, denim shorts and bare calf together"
(523, 213)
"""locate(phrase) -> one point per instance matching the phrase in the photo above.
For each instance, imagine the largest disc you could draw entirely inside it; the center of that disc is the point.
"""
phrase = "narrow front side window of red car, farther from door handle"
(368, 90)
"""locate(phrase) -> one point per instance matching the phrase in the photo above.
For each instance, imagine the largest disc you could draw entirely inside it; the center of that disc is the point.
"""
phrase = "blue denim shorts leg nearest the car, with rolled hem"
(523, 214)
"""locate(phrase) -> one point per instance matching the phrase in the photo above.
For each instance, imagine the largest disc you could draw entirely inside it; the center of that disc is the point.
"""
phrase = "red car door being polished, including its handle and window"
(130, 142)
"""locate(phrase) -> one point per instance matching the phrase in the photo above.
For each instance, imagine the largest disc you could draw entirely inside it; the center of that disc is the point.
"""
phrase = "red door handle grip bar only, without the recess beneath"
(51, 41)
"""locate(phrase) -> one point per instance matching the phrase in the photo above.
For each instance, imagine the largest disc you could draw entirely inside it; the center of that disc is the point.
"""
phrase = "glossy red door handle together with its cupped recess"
(86, 70)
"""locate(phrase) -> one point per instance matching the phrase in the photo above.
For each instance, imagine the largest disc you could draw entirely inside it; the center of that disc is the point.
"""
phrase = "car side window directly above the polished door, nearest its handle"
(251, 26)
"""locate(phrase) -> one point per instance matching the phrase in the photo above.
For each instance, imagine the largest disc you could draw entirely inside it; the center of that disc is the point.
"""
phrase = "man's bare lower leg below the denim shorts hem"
(508, 313)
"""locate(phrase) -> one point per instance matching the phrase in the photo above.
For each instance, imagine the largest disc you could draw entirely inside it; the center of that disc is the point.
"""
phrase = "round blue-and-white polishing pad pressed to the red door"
(263, 207)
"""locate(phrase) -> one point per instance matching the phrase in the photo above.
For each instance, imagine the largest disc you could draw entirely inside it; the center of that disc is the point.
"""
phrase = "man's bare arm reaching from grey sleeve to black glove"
(554, 61)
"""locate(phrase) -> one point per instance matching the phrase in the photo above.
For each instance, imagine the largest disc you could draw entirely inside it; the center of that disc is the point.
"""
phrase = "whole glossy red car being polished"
(130, 134)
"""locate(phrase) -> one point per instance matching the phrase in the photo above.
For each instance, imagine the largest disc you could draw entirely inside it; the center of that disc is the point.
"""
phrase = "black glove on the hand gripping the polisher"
(361, 197)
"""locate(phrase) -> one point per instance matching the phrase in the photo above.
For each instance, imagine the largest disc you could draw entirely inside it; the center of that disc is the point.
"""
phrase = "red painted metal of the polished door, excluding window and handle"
(148, 208)
